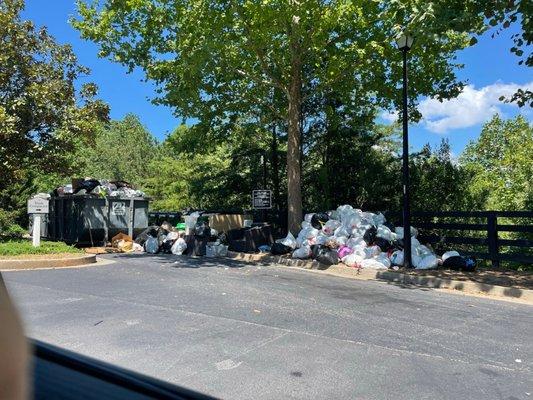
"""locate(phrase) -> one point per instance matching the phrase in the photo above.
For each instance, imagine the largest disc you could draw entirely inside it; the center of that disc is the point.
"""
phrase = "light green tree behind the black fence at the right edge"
(501, 163)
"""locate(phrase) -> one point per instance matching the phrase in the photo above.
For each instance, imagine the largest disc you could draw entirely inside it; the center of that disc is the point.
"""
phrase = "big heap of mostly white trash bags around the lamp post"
(361, 240)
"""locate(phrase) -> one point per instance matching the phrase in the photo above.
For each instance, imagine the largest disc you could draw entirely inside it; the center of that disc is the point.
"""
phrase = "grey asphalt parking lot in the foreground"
(241, 331)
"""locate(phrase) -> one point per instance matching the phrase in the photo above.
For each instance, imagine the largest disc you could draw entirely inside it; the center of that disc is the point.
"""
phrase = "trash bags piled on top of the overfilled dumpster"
(100, 188)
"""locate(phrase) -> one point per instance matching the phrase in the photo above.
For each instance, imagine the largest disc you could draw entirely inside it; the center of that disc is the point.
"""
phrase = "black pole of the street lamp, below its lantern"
(405, 158)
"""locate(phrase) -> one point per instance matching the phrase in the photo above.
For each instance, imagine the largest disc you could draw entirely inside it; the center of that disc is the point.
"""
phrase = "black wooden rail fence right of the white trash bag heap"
(431, 232)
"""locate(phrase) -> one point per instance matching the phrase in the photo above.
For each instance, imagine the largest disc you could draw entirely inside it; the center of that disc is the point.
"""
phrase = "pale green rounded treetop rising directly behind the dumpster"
(121, 150)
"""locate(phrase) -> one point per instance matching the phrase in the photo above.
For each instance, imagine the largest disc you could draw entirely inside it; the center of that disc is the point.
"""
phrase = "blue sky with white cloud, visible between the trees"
(490, 70)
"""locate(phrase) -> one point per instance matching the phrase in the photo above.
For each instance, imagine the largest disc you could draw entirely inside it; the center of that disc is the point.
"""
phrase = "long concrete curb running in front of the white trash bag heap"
(467, 287)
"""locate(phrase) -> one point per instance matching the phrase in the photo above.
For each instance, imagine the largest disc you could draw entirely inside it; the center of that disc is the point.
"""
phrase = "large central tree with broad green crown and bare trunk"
(215, 59)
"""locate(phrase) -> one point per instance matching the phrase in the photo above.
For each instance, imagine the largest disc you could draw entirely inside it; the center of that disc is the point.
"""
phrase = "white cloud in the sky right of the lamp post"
(472, 107)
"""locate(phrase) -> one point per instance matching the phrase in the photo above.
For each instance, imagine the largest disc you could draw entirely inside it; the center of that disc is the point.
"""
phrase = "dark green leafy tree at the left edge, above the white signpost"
(42, 115)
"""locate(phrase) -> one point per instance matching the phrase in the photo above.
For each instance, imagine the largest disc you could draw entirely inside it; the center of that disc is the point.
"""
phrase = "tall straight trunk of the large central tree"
(294, 189)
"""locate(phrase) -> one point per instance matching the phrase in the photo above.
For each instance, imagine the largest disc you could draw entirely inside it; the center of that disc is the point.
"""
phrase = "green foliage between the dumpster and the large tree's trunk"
(207, 175)
